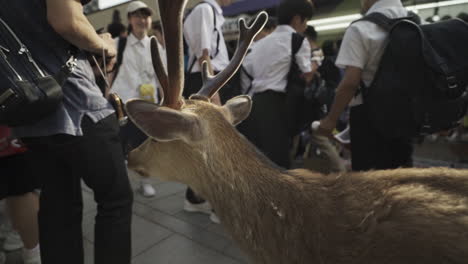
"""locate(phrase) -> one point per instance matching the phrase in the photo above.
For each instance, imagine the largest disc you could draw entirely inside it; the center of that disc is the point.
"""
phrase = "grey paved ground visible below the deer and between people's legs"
(164, 234)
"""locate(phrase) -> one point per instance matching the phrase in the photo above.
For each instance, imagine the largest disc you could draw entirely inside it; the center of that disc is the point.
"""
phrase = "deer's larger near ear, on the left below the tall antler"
(163, 123)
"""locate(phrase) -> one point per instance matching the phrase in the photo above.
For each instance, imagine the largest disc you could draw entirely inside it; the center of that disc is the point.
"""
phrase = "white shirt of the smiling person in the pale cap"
(136, 69)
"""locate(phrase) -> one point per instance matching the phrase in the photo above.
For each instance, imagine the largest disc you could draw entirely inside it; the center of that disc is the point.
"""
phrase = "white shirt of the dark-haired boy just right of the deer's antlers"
(269, 61)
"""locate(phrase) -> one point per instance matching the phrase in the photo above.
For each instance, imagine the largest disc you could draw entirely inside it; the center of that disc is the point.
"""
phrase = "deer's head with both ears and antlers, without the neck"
(185, 133)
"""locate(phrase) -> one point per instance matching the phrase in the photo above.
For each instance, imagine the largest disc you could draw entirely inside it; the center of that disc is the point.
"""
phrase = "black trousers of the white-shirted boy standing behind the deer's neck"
(267, 126)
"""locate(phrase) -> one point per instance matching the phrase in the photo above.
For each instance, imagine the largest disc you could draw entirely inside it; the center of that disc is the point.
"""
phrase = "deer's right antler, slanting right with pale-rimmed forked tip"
(211, 84)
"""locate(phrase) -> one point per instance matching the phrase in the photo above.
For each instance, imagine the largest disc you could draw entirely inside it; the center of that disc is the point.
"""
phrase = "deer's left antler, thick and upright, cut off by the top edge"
(171, 18)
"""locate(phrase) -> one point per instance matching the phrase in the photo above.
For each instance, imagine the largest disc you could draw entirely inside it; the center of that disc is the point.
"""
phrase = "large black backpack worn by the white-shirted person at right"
(421, 86)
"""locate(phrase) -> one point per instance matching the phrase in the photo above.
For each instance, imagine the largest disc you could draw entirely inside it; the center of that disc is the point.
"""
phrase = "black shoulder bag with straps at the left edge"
(27, 92)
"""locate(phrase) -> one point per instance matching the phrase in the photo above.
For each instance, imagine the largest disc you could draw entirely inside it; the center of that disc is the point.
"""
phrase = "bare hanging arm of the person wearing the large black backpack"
(344, 94)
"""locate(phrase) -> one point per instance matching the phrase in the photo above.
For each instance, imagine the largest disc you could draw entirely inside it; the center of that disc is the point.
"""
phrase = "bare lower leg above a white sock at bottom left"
(23, 214)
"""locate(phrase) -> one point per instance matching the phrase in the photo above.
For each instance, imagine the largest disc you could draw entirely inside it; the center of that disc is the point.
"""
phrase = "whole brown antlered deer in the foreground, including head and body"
(278, 216)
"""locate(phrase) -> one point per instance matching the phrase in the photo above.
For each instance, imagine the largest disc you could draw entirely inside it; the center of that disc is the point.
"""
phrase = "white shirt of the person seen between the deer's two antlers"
(199, 34)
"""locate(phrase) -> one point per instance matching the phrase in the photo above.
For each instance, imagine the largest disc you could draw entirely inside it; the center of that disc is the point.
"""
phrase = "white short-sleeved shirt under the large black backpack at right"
(364, 43)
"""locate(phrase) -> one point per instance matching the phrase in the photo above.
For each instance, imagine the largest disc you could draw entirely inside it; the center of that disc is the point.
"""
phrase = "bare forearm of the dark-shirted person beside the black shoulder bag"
(67, 19)
